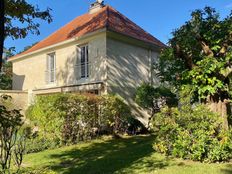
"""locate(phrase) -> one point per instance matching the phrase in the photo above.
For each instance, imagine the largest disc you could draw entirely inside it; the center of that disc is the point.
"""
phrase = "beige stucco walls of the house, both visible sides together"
(118, 65)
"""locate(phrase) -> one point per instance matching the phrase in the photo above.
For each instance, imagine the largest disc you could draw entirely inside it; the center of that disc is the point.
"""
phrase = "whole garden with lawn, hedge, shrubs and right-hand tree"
(190, 125)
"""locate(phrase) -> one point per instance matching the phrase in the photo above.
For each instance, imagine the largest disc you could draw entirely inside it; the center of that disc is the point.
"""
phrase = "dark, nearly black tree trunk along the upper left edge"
(2, 29)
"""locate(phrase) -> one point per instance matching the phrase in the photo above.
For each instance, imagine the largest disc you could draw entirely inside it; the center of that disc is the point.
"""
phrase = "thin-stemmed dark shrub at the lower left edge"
(10, 124)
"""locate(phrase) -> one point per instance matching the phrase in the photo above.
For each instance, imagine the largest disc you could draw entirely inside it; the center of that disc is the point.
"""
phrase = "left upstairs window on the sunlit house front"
(51, 67)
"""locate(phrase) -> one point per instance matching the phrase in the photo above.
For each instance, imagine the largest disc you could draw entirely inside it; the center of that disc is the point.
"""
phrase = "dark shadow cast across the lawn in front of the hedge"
(108, 156)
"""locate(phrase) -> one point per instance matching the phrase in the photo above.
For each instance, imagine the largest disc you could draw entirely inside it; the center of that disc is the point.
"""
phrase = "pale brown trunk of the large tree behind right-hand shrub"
(220, 107)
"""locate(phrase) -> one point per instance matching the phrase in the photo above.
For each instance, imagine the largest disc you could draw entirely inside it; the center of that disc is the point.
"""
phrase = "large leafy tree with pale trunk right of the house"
(200, 55)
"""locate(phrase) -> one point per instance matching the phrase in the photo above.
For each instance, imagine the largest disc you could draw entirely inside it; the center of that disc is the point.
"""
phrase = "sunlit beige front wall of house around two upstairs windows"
(29, 73)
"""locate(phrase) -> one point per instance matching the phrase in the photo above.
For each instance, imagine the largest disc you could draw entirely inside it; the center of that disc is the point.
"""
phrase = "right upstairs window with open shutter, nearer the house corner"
(84, 61)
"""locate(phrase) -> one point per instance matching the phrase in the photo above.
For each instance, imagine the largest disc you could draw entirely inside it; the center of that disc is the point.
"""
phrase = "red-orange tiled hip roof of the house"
(107, 18)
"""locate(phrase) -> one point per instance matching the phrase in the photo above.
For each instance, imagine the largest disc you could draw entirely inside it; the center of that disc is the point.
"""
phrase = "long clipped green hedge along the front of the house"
(70, 118)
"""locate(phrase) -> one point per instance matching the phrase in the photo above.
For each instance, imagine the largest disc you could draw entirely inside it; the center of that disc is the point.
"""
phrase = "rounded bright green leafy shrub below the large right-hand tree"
(192, 133)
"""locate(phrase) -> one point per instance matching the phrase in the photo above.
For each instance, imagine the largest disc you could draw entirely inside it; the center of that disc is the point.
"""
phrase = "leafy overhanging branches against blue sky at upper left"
(26, 13)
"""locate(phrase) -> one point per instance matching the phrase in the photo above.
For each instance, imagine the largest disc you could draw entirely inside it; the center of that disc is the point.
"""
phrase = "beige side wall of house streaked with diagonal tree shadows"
(129, 65)
